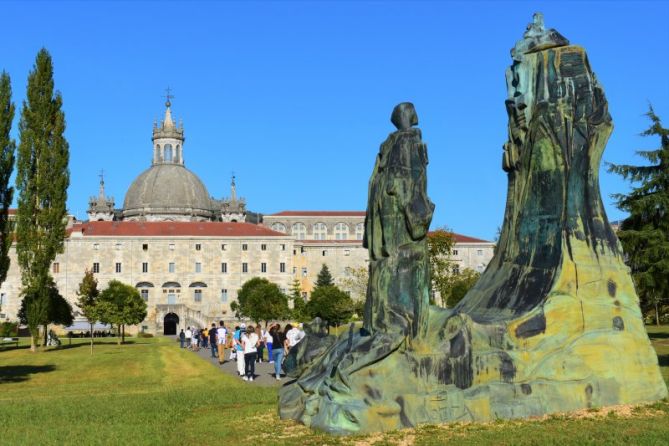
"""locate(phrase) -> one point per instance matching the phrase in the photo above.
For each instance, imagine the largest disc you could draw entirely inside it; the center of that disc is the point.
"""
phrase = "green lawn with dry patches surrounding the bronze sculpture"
(151, 392)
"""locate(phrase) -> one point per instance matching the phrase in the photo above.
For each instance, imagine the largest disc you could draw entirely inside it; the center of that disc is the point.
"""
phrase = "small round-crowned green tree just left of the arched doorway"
(120, 304)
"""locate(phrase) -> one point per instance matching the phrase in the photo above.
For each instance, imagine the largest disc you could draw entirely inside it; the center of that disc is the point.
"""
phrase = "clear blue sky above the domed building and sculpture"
(295, 98)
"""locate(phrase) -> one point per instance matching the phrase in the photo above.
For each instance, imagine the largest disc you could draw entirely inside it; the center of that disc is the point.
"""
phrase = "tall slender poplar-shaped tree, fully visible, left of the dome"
(42, 179)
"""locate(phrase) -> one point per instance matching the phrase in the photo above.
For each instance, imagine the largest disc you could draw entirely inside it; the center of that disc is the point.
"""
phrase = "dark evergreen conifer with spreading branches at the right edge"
(644, 234)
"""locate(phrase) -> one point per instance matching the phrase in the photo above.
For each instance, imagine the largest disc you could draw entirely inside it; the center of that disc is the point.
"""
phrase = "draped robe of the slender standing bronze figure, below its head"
(398, 217)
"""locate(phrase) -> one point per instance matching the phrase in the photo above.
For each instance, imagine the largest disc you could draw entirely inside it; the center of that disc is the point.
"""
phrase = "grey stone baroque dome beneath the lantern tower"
(167, 192)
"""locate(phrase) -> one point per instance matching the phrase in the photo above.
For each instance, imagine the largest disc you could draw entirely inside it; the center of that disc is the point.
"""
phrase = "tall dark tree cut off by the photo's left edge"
(7, 149)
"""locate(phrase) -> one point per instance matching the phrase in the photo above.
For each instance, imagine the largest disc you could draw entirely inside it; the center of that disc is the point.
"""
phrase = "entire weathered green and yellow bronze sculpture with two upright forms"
(553, 324)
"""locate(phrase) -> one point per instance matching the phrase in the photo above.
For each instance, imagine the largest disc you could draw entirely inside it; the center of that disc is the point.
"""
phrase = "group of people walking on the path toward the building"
(247, 344)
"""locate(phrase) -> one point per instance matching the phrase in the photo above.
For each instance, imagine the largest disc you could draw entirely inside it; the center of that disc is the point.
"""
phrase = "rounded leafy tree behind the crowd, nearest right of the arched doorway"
(261, 300)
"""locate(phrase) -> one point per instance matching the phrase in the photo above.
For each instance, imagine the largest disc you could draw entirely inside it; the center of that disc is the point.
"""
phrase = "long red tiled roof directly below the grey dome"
(172, 229)
